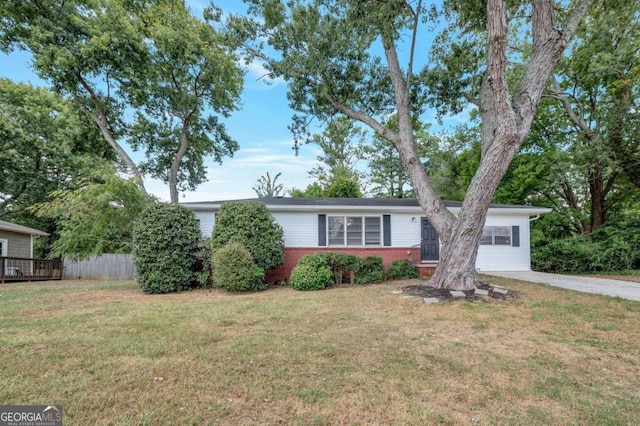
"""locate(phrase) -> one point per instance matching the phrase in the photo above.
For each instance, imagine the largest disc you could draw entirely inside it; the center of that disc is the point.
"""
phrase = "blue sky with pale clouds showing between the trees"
(260, 127)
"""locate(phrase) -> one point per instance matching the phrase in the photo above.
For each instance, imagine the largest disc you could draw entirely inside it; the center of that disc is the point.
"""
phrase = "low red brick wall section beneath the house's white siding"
(388, 254)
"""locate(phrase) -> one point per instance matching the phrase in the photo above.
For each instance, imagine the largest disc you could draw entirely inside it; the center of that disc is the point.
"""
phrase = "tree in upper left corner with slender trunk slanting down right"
(82, 48)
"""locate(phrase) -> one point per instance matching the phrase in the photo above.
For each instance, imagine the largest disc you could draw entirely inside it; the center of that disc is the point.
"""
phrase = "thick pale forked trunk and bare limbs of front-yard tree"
(504, 128)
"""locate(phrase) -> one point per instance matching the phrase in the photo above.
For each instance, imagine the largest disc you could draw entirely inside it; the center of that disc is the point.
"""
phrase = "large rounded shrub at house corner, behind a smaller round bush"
(251, 224)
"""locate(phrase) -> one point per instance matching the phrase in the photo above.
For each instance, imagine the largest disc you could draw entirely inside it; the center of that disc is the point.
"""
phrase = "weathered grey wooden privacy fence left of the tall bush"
(104, 267)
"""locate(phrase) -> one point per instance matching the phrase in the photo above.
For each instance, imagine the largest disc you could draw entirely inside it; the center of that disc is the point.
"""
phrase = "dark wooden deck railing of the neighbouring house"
(16, 269)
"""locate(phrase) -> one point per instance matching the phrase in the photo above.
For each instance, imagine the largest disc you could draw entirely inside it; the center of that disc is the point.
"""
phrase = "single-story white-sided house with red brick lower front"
(390, 228)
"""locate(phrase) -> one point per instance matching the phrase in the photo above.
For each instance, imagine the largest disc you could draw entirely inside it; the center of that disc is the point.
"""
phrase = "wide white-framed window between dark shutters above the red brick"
(354, 230)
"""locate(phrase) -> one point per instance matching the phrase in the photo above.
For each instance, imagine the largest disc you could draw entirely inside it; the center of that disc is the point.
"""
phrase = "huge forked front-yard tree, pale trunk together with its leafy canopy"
(326, 55)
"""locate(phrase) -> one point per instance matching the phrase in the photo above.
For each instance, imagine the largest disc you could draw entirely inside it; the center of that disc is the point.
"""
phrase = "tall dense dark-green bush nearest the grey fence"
(165, 248)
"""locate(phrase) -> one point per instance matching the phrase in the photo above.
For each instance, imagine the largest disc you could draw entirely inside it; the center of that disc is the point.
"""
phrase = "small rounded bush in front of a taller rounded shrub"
(235, 270)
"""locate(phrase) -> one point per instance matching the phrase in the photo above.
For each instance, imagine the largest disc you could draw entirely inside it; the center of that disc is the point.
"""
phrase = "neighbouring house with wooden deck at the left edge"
(16, 255)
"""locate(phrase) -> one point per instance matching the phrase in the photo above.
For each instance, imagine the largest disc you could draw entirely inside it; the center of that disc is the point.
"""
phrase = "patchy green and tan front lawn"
(359, 355)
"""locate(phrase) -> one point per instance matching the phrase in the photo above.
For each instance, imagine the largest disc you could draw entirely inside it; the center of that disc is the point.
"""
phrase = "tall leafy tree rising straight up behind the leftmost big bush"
(192, 77)
